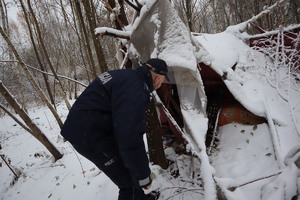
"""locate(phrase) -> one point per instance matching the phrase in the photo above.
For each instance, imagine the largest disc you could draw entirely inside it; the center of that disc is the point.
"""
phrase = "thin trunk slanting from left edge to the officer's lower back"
(31, 78)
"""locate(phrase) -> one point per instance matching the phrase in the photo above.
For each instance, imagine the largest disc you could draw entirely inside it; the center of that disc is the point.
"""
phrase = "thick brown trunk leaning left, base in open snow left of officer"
(36, 132)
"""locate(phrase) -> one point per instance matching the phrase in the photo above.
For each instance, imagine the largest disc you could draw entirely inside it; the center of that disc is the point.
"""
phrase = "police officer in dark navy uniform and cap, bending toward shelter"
(107, 122)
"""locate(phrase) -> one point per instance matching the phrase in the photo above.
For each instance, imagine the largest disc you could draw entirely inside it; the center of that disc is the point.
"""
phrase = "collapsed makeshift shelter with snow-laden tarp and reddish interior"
(258, 88)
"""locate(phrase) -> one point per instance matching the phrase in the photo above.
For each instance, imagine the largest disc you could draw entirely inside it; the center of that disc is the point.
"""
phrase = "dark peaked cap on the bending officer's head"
(158, 66)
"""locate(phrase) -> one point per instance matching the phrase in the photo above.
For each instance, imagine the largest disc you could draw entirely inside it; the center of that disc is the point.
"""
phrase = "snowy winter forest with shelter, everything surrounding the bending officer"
(228, 119)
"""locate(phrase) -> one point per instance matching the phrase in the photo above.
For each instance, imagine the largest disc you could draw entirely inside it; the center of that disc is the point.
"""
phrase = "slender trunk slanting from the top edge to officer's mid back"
(47, 55)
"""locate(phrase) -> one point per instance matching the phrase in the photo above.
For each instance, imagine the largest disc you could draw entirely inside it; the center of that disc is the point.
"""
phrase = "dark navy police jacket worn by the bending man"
(113, 107)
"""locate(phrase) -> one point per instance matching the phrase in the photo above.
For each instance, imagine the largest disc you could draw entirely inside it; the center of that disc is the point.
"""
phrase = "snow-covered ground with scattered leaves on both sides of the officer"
(244, 154)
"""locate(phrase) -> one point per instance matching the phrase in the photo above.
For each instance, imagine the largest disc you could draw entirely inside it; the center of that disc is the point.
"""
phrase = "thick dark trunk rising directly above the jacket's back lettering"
(91, 18)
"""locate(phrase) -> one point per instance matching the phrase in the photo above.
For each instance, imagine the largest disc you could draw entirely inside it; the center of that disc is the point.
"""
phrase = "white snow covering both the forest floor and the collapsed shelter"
(257, 161)
